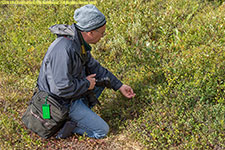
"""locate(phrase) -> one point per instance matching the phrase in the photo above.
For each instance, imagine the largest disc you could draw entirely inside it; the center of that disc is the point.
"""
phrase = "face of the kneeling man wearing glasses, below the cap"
(94, 36)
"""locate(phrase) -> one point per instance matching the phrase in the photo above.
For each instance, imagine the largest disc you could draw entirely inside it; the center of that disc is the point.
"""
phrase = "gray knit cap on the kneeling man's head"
(88, 18)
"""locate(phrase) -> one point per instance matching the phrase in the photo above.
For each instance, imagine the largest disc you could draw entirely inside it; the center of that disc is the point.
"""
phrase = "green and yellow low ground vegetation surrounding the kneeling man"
(171, 52)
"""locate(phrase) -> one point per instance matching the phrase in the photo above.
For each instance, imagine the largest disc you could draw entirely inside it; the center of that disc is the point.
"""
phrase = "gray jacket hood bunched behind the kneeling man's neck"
(62, 29)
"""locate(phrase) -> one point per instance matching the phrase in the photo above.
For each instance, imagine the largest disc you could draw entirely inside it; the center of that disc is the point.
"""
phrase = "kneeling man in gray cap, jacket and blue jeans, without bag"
(69, 72)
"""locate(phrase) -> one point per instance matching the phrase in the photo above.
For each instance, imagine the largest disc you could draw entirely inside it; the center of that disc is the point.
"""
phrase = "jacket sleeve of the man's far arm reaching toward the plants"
(95, 68)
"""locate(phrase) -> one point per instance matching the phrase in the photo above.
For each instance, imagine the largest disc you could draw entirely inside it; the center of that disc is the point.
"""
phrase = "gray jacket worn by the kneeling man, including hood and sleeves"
(62, 73)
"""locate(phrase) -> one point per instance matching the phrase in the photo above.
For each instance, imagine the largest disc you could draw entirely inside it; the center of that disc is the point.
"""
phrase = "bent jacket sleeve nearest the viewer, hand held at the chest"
(62, 82)
